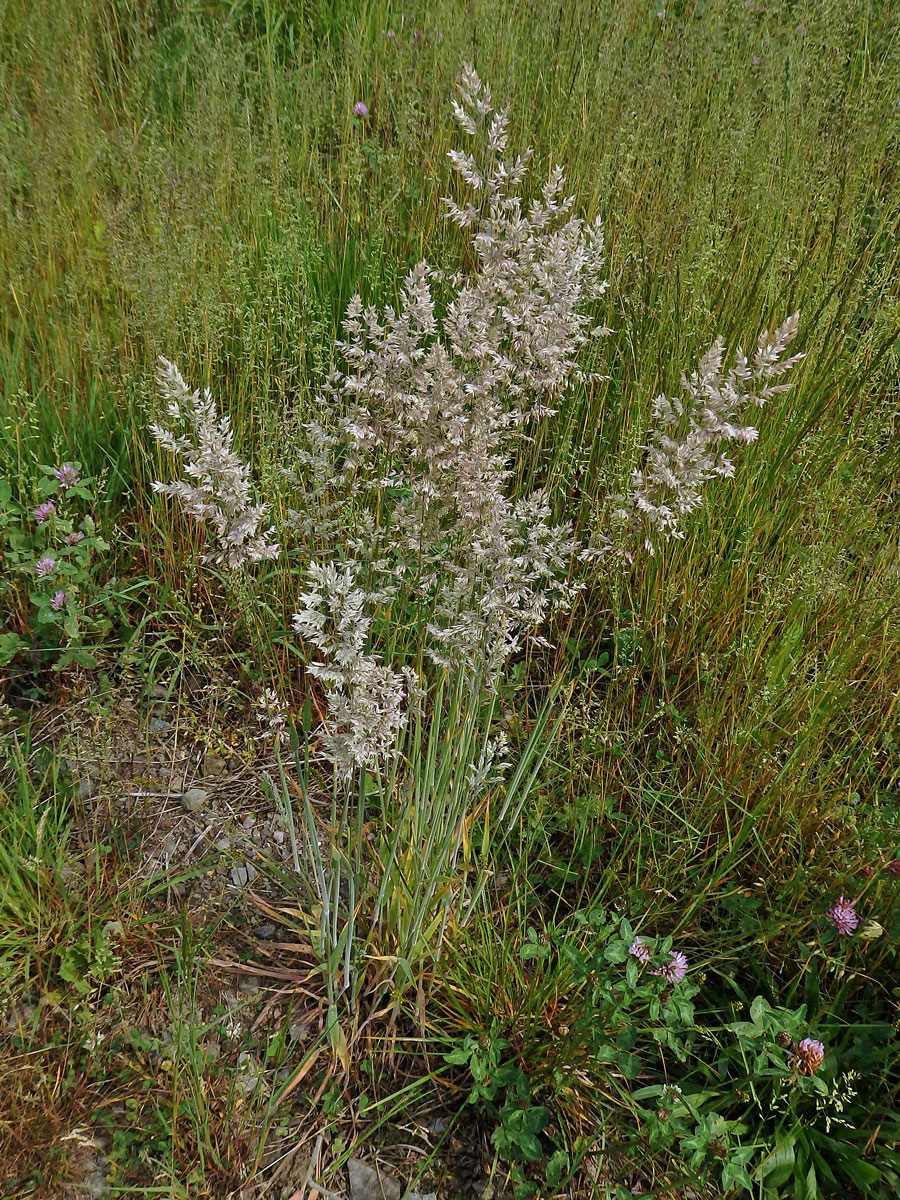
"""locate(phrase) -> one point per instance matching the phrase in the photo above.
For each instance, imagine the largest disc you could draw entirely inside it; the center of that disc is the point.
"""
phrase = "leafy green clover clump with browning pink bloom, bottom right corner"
(766, 1105)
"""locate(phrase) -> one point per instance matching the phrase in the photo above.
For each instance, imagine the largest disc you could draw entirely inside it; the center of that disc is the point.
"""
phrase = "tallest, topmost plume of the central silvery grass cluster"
(520, 321)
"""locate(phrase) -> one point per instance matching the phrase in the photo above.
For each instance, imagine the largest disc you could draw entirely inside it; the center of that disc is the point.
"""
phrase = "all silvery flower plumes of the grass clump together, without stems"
(410, 463)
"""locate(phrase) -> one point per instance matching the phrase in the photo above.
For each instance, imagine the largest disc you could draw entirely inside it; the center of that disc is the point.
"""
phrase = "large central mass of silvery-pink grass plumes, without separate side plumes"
(423, 417)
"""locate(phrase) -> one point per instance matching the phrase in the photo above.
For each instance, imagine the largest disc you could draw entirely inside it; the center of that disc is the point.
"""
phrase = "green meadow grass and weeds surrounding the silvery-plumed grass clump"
(190, 181)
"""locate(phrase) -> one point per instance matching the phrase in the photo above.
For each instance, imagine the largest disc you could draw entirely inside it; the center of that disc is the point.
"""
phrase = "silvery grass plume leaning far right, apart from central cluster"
(683, 449)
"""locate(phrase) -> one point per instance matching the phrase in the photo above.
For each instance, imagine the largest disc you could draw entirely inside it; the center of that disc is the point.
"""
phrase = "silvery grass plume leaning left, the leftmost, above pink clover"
(219, 493)
